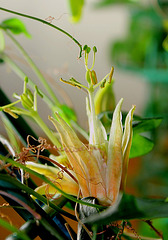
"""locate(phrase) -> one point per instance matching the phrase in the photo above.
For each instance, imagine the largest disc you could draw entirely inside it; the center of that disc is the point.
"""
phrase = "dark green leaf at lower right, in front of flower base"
(130, 207)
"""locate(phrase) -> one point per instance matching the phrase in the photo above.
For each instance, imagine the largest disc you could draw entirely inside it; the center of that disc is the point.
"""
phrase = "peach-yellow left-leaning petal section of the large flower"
(81, 159)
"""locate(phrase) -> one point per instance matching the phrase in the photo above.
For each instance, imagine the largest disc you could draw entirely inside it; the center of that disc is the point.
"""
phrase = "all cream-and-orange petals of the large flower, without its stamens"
(99, 167)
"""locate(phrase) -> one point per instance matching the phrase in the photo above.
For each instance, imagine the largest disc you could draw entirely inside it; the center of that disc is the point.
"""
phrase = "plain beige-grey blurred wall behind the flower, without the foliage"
(57, 56)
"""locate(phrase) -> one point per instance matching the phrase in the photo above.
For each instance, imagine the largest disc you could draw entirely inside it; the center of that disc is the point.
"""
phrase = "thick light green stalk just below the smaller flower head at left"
(46, 130)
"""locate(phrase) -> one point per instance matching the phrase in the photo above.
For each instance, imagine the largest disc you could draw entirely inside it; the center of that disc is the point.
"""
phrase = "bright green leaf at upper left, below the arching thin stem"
(15, 25)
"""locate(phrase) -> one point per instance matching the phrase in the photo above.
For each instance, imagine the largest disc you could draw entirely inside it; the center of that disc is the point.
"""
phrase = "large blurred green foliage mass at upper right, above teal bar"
(142, 50)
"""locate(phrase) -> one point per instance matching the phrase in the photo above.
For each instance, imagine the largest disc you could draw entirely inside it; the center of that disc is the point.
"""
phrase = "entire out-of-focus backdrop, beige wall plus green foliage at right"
(129, 35)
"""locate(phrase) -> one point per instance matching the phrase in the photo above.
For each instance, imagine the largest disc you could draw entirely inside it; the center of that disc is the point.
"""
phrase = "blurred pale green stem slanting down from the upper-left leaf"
(35, 68)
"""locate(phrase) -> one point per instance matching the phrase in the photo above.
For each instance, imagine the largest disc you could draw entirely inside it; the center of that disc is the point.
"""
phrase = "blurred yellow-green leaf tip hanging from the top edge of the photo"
(76, 7)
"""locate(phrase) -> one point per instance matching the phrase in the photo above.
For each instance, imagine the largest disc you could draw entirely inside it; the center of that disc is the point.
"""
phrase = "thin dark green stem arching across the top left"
(47, 23)
